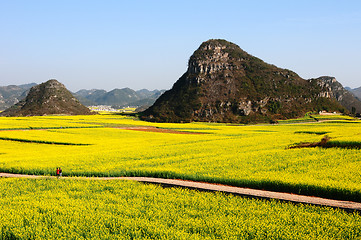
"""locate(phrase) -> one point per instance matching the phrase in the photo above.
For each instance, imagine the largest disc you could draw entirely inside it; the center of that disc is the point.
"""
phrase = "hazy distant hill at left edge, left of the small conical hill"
(12, 94)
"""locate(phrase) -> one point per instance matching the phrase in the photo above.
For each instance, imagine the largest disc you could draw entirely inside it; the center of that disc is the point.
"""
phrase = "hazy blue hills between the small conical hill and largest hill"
(118, 97)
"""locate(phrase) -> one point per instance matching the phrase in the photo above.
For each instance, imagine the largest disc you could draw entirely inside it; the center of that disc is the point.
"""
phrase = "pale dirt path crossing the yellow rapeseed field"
(246, 192)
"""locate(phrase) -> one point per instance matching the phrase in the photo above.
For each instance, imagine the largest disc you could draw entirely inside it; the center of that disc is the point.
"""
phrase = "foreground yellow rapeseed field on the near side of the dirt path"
(90, 209)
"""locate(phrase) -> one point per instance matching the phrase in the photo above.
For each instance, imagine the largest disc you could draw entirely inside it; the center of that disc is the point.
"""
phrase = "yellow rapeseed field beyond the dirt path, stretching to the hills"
(253, 155)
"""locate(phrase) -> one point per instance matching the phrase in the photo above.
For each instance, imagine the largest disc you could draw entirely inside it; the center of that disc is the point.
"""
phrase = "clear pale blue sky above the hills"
(146, 44)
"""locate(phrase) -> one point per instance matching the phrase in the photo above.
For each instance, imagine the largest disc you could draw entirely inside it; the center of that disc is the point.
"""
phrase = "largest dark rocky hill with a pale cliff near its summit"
(223, 83)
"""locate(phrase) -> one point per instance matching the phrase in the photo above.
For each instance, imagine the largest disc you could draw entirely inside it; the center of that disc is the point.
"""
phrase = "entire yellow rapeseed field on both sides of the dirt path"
(113, 145)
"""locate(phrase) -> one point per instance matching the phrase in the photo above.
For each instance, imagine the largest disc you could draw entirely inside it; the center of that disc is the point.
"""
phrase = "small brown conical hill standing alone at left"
(47, 98)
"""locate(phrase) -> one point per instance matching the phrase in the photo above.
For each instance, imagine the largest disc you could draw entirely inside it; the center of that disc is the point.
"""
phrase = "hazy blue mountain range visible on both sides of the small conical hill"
(12, 94)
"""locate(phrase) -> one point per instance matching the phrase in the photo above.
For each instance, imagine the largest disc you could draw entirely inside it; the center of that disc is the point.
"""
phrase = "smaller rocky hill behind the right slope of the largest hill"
(334, 89)
